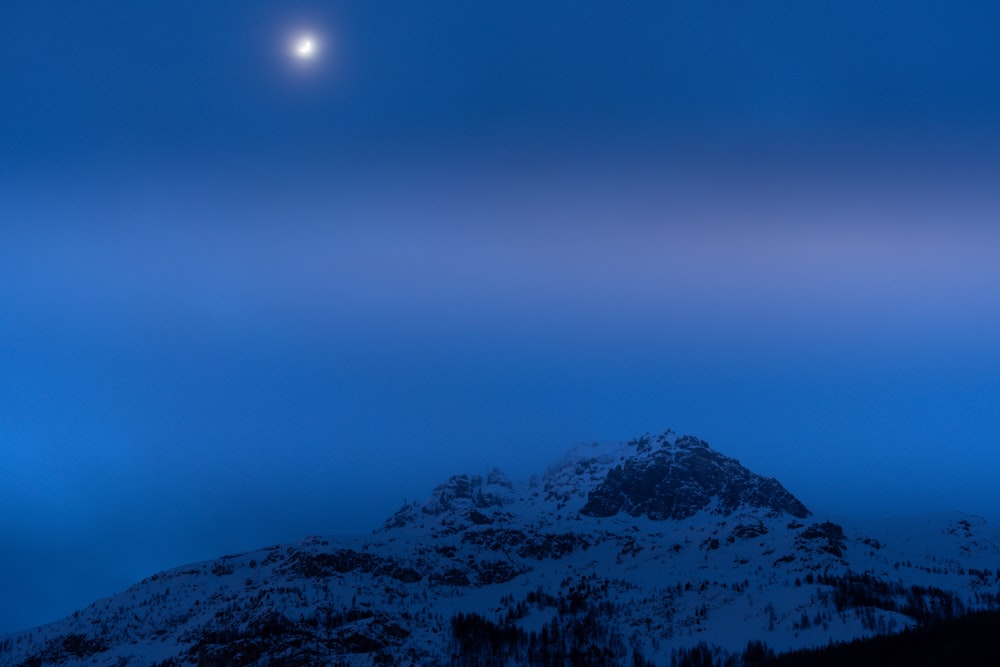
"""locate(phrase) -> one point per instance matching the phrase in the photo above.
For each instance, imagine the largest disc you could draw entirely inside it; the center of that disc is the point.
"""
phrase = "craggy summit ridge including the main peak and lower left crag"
(658, 477)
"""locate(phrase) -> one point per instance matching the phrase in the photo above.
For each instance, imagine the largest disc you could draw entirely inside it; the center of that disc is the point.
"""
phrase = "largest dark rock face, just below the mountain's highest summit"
(677, 482)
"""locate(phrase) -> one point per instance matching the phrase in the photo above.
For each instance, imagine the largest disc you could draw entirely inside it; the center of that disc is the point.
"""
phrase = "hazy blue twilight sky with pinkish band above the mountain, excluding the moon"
(243, 301)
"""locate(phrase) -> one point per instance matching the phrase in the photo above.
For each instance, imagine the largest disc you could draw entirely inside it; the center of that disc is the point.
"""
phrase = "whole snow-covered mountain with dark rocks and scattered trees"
(621, 554)
